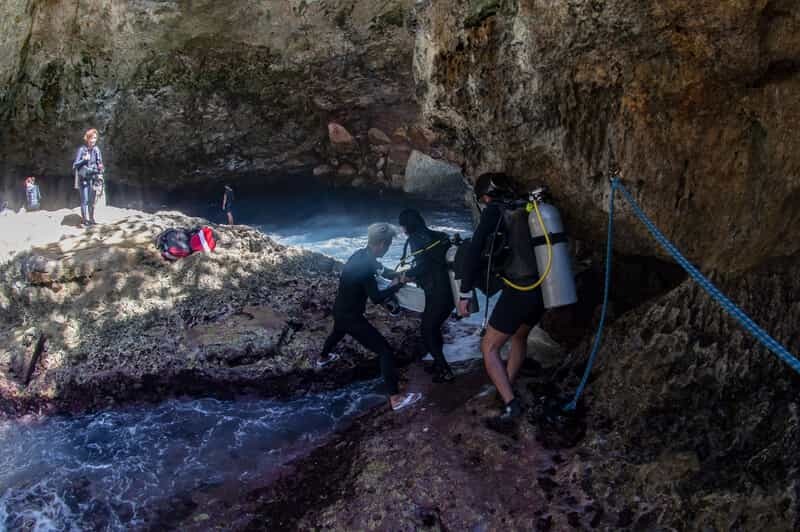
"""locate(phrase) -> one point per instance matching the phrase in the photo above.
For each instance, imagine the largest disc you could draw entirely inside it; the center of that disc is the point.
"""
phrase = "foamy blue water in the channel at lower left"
(114, 470)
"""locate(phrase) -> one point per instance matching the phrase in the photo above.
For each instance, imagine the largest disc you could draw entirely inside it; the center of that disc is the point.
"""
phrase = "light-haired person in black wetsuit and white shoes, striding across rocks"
(356, 283)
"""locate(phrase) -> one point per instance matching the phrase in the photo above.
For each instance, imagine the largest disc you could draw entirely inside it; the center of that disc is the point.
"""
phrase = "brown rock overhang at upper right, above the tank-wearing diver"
(695, 102)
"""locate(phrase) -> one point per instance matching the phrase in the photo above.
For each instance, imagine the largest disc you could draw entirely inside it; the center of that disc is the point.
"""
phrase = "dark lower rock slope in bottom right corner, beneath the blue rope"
(704, 416)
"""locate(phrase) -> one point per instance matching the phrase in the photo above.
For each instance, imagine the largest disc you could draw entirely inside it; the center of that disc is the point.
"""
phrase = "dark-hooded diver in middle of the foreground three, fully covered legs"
(429, 271)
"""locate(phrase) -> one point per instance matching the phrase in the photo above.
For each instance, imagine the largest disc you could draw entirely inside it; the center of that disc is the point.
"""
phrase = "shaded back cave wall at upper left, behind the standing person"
(195, 91)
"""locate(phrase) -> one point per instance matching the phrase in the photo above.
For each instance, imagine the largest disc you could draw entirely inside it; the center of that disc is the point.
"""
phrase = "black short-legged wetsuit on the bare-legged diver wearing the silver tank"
(515, 307)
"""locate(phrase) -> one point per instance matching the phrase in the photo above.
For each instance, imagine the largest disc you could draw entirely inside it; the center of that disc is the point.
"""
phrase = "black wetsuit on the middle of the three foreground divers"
(430, 272)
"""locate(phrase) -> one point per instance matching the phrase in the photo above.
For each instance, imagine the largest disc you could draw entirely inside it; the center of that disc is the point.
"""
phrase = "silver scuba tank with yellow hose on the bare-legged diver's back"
(558, 288)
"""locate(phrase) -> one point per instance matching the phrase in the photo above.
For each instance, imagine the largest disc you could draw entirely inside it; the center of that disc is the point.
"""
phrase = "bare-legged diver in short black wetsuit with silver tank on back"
(516, 311)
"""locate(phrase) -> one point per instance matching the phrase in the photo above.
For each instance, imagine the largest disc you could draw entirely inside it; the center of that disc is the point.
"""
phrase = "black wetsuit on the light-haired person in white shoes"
(356, 283)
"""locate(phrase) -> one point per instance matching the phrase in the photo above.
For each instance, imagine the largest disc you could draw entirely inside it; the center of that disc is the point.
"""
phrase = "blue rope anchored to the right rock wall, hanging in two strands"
(729, 306)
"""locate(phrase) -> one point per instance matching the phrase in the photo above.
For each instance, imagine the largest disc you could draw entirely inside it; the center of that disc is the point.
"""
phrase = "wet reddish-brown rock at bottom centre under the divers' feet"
(433, 467)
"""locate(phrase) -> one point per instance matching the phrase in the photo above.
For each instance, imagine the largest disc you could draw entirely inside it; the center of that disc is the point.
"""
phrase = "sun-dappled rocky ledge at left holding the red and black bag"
(122, 324)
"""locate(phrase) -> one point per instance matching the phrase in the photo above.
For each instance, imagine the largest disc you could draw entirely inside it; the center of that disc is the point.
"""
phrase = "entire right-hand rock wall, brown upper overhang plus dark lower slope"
(697, 104)
